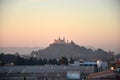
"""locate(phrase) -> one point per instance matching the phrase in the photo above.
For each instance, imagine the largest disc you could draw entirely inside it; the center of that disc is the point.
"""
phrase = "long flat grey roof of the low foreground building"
(45, 69)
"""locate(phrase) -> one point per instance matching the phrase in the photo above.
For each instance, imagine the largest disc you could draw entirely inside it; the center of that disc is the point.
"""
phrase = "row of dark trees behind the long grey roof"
(18, 60)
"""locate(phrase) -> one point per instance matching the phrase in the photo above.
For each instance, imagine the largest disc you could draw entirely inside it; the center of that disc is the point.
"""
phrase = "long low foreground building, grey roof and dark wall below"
(45, 72)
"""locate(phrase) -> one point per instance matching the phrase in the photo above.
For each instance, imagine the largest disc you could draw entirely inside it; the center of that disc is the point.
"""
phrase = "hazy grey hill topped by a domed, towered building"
(61, 48)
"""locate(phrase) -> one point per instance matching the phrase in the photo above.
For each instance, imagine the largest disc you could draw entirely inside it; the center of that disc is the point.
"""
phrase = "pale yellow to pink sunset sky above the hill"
(38, 22)
